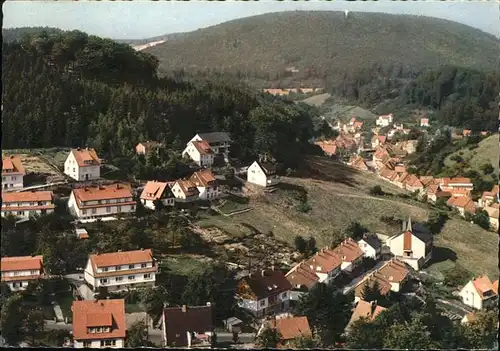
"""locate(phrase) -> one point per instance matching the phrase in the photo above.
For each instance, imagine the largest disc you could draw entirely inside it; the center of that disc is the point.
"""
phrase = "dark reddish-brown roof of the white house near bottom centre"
(267, 283)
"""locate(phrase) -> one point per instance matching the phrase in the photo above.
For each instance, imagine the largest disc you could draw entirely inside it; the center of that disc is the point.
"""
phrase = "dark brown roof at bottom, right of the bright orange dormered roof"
(180, 320)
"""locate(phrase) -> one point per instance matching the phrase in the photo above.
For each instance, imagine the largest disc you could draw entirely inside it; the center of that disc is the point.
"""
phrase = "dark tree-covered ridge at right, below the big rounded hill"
(460, 97)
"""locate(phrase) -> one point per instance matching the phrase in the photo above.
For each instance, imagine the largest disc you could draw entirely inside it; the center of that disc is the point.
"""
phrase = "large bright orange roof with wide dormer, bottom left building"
(95, 313)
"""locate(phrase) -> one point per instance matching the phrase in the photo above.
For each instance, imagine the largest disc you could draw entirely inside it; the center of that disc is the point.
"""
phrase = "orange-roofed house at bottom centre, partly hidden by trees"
(290, 328)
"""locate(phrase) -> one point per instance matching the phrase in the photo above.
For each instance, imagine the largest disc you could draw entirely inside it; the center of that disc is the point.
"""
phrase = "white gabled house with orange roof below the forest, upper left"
(82, 164)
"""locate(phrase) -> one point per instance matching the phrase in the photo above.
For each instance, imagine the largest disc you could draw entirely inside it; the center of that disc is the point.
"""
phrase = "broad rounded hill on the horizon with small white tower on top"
(320, 39)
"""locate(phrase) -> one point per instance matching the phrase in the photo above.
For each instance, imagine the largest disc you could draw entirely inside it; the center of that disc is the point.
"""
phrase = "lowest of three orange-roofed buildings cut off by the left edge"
(18, 272)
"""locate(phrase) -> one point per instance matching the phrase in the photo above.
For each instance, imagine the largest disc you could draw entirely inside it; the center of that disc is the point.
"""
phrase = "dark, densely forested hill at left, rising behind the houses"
(76, 90)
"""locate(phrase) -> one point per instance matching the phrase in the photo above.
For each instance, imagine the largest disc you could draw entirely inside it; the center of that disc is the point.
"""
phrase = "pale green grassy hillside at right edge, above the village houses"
(486, 152)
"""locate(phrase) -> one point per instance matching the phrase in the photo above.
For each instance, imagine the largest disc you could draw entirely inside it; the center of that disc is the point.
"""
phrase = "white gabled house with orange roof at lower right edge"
(479, 292)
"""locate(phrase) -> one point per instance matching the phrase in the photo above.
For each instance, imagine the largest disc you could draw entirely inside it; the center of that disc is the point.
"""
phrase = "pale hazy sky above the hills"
(143, 19)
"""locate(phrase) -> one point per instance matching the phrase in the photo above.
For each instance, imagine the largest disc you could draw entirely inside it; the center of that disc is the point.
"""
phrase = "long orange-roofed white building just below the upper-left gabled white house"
(106, 200)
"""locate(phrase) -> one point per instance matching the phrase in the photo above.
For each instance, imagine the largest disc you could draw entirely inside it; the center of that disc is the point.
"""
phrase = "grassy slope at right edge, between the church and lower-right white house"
(470, 246)
